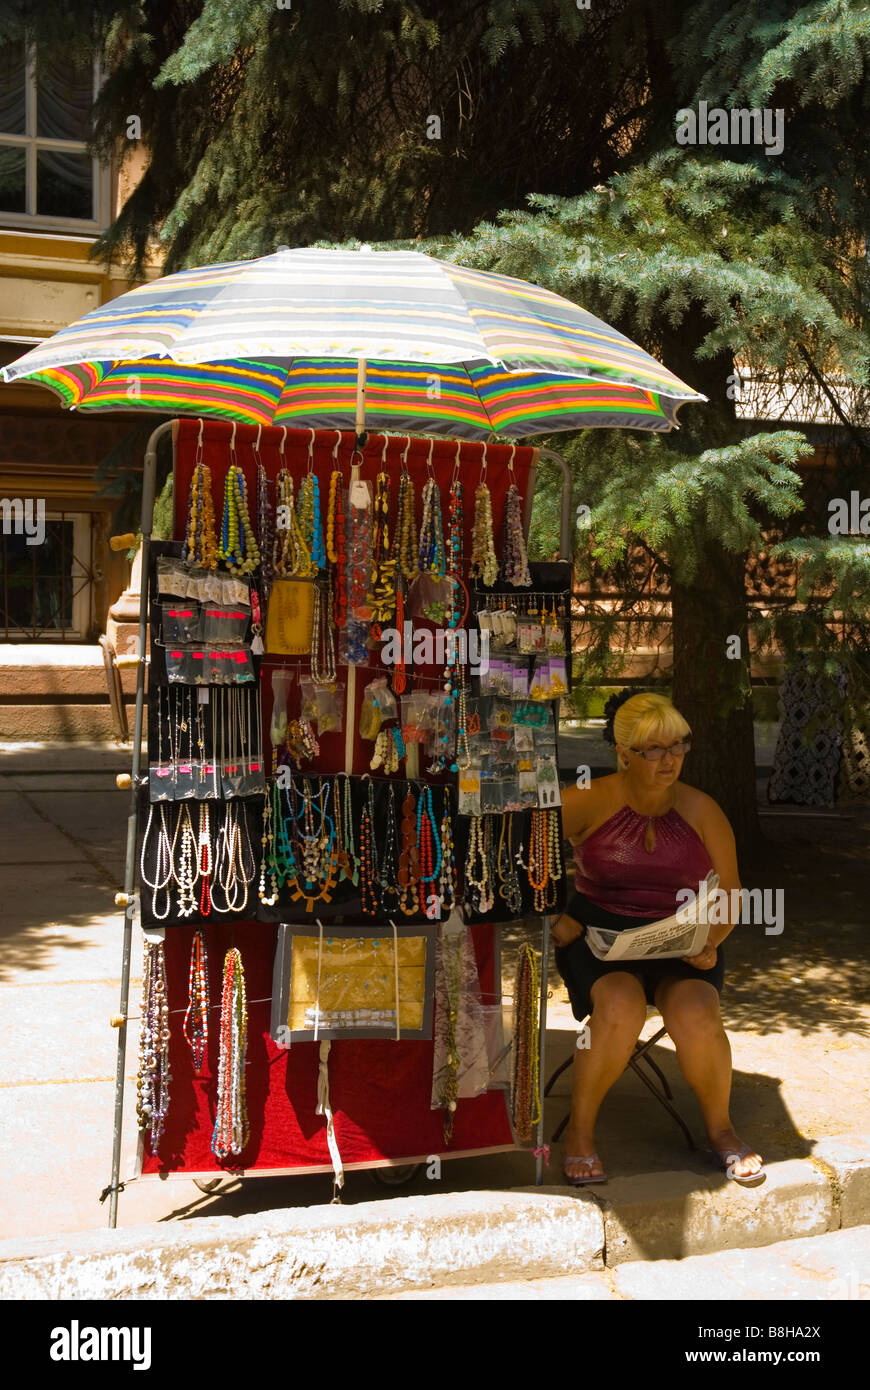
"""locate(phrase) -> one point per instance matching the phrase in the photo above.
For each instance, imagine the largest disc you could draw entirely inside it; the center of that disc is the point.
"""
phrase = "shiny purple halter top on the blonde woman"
(618, 872)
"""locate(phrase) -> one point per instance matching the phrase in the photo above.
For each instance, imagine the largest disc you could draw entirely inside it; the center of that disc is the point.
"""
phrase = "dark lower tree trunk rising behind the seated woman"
(712, 689)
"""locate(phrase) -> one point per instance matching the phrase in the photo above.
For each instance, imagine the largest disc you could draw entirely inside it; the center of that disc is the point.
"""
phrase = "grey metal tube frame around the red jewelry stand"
(129, 897)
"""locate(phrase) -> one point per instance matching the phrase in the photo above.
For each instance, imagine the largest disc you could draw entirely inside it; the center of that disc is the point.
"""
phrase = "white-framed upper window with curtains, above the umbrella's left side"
(48, 180)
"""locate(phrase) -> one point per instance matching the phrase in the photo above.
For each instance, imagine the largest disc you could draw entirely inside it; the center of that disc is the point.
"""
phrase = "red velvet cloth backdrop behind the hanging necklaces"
(380, 1090)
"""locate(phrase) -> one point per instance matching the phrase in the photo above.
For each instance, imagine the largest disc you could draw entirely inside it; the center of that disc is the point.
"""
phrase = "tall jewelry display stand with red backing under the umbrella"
(369, 1097)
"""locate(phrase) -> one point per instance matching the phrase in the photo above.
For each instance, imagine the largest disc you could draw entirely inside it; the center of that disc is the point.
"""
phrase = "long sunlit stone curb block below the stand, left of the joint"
(316, 1253)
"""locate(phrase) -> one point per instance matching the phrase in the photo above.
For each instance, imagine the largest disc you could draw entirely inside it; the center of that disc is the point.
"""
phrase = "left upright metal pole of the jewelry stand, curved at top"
(127, 899)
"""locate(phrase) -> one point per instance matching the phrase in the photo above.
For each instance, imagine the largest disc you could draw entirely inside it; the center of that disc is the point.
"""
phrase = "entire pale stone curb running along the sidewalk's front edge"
(408, 1243)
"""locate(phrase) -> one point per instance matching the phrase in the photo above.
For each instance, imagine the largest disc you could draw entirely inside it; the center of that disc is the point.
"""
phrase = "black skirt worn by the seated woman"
(580, 970)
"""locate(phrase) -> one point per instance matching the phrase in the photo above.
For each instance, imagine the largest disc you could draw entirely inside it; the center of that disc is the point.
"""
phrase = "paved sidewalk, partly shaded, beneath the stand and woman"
(797, 1008)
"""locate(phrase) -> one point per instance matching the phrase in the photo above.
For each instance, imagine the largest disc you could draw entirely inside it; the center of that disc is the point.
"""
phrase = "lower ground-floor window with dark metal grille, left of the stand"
(47, 590)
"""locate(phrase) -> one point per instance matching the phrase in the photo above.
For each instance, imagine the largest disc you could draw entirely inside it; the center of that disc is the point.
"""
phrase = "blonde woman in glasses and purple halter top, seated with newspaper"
(639, 837)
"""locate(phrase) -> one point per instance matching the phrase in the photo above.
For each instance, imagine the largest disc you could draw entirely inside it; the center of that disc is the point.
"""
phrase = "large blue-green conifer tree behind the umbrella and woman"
(558, 162)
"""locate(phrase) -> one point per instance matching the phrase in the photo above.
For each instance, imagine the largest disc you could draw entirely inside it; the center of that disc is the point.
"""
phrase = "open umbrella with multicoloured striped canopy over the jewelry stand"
(390, 341)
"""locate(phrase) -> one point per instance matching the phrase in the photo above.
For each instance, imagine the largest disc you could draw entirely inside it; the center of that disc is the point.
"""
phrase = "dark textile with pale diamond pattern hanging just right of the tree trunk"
(805, 775)
